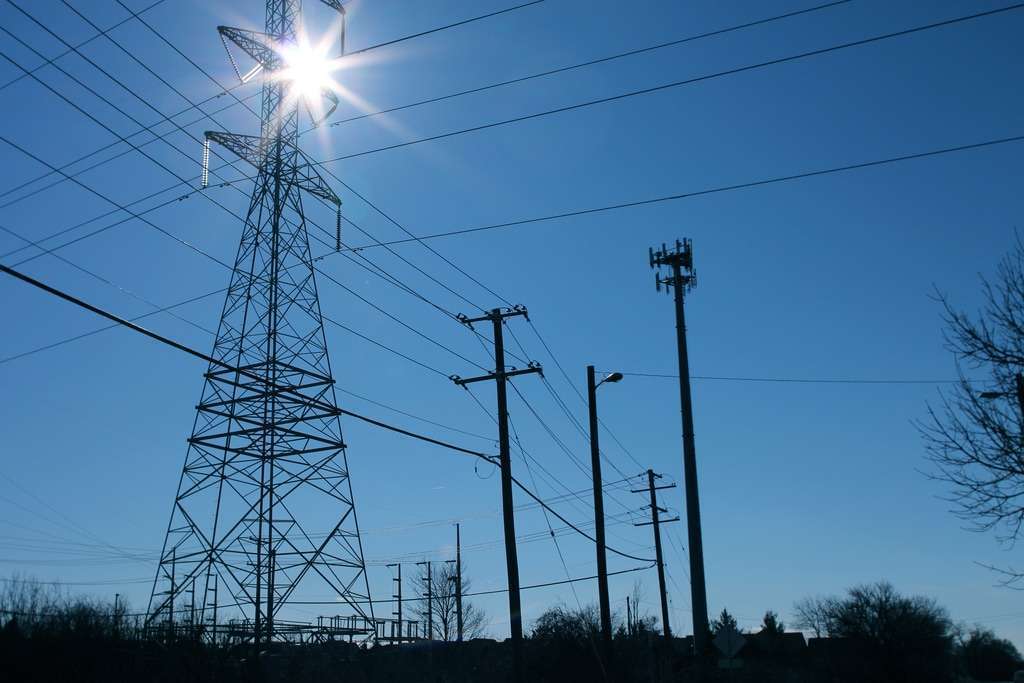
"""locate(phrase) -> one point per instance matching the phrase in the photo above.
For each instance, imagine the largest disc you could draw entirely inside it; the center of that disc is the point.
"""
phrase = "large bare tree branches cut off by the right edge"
(975, 436)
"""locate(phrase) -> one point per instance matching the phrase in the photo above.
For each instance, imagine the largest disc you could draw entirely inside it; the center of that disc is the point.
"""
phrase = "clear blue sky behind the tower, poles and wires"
(806, 489)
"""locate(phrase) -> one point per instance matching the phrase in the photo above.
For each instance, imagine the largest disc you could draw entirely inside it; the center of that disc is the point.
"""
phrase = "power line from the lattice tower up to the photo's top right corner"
(676, 84)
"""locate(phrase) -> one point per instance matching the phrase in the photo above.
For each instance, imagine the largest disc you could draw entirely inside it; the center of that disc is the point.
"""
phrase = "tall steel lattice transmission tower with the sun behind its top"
(265, 504)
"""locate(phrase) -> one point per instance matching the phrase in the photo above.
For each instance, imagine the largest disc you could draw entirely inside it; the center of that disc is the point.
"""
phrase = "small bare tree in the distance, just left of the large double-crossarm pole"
(444, 605)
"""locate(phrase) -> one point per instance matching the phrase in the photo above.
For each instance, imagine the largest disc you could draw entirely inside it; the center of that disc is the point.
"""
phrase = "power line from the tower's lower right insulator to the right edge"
(712, 191)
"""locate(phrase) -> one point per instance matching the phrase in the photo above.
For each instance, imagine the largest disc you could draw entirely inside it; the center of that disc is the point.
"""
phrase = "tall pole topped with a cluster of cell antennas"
(682, 280)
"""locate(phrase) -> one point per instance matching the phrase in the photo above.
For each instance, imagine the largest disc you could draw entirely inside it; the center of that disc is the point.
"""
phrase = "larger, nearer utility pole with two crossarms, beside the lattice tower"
(501, 375)
